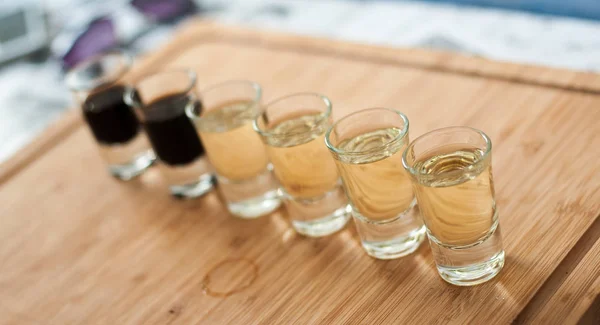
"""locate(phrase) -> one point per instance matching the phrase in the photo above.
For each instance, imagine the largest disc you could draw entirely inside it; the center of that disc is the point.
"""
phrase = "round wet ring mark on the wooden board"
(225, 278)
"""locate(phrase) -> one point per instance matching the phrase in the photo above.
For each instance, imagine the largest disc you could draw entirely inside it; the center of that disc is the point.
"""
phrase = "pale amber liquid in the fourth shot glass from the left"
(302, 162)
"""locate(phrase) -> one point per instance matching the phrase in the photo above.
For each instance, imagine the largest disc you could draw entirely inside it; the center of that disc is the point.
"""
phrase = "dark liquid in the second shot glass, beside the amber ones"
(171, 132)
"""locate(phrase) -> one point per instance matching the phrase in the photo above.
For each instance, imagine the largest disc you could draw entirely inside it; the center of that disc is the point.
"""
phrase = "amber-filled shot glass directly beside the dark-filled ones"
(243, 171)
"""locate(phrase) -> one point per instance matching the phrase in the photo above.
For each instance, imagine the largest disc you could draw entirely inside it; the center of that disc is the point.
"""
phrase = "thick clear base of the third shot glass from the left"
(255, 207)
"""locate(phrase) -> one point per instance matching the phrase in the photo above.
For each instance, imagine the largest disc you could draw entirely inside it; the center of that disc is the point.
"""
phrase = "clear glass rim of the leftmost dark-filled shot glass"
(74, 84)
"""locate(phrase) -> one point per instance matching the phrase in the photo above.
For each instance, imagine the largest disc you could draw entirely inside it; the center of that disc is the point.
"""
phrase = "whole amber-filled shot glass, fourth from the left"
(293, 128)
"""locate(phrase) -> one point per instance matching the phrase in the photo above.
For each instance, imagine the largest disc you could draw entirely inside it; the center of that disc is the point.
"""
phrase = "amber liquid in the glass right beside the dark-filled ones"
(233, 147)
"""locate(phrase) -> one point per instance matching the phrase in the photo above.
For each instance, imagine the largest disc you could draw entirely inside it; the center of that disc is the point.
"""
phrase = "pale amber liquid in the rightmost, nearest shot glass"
(455, 196)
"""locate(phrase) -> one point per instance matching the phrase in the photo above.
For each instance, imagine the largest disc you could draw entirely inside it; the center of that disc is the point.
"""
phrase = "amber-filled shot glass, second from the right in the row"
(367, 146)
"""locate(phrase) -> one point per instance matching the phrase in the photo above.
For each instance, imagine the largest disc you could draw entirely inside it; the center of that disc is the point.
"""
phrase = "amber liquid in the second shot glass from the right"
(376, 183)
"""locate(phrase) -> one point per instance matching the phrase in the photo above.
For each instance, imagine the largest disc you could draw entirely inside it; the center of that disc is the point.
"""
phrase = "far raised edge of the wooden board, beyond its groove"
(202, 31)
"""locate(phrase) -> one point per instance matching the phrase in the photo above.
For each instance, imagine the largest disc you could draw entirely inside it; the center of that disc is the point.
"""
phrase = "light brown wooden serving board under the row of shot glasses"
(78, 247)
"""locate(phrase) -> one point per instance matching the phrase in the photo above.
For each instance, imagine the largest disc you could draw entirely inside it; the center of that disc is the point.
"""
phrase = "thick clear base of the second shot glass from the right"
(397, 247)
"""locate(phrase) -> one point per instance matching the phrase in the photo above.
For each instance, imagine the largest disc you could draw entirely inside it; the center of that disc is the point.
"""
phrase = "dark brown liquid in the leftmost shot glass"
(110, 119)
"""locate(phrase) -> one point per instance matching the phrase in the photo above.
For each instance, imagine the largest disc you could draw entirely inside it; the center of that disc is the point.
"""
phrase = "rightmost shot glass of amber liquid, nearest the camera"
(451, 169)
